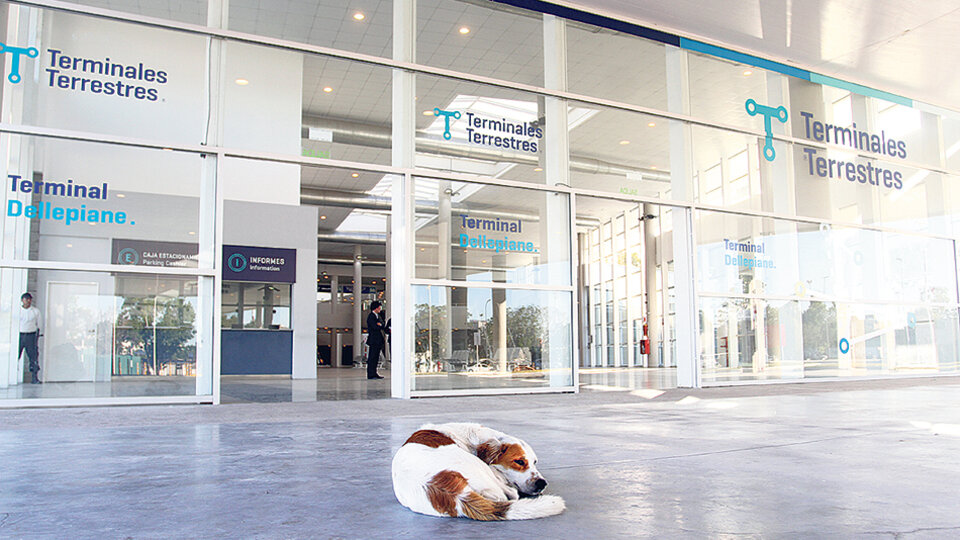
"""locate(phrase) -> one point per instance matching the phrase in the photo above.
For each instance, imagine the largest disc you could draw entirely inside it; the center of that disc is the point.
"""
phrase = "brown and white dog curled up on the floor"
(467, 470)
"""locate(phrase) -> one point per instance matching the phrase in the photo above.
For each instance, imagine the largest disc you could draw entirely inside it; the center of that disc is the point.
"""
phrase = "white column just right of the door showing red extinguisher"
(681, 160)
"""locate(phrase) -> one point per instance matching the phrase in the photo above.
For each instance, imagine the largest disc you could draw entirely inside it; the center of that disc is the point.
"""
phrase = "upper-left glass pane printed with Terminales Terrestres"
(101, 76)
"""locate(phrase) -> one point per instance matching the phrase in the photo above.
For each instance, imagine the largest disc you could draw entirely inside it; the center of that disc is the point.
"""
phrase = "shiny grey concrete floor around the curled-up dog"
(869, 459)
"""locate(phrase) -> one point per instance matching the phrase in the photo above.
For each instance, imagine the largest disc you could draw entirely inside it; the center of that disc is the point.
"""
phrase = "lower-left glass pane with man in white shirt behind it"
(101, 334)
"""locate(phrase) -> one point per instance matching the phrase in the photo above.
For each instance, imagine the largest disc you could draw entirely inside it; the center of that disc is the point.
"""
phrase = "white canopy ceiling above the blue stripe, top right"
(891, 45)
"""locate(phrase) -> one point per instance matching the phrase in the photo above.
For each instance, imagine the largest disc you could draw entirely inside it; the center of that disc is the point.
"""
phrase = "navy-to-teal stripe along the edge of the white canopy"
(698, 46)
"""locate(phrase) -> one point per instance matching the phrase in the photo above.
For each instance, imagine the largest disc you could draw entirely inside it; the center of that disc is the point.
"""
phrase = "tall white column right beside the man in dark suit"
(401, 218)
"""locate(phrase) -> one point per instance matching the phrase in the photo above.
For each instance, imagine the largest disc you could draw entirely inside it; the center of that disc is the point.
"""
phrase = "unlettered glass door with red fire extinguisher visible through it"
(626, 292)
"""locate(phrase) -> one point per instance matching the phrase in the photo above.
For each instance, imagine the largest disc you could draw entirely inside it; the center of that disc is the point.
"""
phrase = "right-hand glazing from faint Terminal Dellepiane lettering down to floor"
(783, 299)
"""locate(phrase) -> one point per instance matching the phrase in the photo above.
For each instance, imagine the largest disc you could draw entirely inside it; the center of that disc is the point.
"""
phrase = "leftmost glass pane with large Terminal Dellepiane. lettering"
(75, 201)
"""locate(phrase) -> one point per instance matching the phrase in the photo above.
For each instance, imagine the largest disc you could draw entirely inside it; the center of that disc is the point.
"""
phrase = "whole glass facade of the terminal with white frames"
(552, 201)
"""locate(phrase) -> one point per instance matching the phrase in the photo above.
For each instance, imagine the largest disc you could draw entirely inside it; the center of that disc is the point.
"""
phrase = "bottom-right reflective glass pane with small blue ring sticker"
(755, 339)
